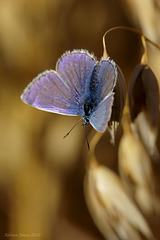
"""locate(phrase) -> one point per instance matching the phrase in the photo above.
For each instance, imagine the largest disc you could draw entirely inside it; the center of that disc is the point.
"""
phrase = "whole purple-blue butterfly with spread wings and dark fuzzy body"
(80, 85)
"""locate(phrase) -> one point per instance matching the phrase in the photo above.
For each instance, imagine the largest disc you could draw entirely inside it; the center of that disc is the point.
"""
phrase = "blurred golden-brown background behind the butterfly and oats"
(41, 174)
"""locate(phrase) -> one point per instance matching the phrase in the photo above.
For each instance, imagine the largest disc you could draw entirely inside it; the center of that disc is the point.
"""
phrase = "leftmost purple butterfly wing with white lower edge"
(50, 93)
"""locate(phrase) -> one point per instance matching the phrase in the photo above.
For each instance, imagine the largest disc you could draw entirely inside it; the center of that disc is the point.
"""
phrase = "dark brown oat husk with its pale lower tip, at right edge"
(144, 105)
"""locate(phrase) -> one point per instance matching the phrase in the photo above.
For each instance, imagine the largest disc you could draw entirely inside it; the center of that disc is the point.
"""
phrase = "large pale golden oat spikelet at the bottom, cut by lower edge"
(112, 210)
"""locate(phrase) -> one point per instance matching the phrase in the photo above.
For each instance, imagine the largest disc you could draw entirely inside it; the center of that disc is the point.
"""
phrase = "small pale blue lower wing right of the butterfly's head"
(100, 117)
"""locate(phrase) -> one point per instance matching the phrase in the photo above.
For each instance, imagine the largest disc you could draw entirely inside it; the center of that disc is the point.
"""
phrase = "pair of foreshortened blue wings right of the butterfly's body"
(107, 77)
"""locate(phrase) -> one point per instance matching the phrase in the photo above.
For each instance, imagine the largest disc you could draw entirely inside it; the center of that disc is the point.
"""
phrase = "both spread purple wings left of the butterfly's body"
(61, 92)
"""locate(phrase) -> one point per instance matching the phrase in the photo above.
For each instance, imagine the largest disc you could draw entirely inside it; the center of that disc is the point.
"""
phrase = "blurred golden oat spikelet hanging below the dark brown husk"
(136, 171)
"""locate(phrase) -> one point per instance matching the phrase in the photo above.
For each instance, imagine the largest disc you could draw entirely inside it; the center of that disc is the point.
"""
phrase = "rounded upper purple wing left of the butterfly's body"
(76, 69)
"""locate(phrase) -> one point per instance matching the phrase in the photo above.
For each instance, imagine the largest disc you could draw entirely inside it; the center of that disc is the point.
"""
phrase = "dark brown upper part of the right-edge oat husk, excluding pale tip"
(144, 94)
